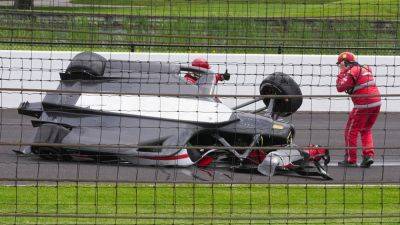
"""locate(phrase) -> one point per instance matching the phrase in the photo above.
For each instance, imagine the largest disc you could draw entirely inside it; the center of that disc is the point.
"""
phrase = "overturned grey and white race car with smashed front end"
(166, 114)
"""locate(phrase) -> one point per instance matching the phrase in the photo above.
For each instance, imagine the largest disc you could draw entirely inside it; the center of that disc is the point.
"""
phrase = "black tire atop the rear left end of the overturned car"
(85, 66)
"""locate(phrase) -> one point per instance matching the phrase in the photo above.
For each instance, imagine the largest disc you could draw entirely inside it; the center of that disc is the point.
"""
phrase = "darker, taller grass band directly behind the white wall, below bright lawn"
(218, 35)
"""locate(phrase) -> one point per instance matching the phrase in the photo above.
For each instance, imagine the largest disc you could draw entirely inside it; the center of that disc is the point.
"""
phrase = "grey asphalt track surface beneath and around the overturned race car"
(325, 129)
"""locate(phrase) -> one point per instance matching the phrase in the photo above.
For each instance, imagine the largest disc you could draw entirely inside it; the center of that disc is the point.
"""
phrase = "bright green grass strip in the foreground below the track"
(199, 203)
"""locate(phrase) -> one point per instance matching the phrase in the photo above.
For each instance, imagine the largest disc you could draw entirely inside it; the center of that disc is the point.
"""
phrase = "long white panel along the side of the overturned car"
(173, 108)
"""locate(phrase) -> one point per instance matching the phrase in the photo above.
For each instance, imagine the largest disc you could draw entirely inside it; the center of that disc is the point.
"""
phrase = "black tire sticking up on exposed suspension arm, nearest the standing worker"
(281, 84)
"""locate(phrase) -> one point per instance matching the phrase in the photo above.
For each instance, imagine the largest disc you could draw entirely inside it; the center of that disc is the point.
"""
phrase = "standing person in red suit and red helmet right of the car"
(356, 79)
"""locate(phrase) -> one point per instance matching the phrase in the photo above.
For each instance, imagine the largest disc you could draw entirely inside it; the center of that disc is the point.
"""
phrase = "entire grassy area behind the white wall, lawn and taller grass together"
(254, 26)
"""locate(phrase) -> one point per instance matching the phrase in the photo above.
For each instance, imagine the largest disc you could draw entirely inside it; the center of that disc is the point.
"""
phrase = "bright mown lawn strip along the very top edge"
(249, 8)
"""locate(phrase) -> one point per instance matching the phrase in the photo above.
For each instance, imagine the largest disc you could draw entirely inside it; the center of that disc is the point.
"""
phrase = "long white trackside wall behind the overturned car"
(316, 74)
